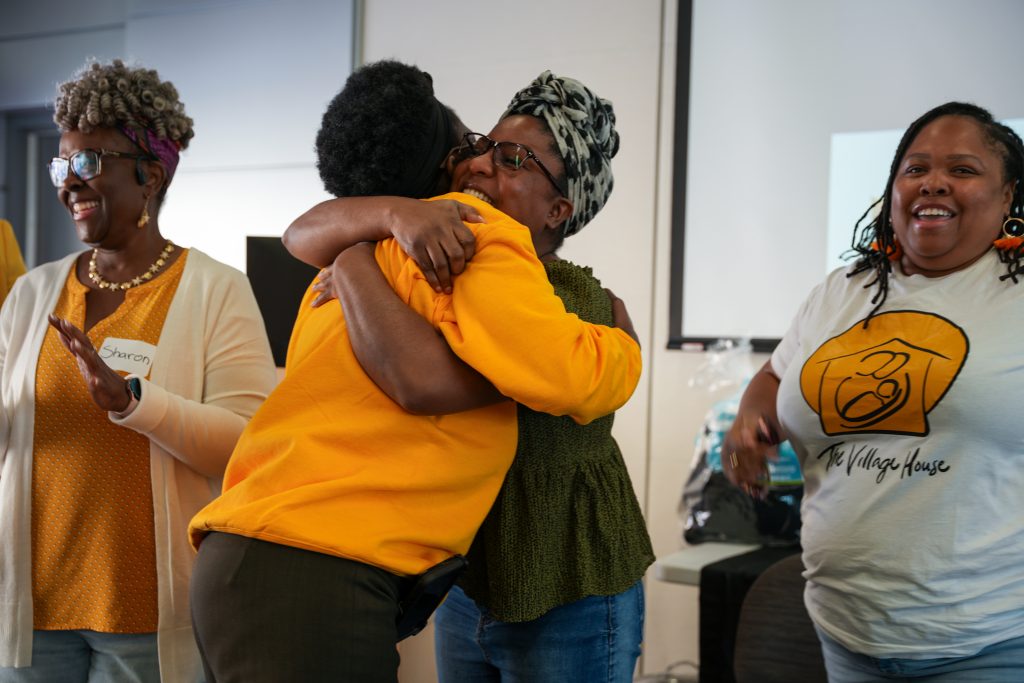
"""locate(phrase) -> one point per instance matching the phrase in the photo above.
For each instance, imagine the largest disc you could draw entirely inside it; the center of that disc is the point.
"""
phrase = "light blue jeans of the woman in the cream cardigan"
(89, 657)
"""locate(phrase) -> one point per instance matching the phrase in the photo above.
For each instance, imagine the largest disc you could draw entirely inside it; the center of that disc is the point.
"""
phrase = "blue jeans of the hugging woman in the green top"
(594, 641)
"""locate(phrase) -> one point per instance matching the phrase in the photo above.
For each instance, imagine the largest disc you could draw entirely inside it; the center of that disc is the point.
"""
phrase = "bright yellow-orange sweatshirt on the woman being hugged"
(331, 464)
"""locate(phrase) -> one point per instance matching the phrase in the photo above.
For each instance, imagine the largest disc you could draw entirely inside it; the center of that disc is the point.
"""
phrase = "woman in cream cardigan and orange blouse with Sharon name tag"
(129, 373)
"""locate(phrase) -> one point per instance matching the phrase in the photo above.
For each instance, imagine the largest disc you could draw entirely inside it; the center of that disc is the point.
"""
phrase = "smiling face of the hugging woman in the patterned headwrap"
(527, 195)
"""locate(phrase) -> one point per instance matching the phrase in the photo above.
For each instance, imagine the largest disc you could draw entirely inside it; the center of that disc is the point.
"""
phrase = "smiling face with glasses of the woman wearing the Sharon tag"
(105, 209)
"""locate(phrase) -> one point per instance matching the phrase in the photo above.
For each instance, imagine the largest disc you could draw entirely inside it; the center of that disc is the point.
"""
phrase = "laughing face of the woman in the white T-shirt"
(950, 197)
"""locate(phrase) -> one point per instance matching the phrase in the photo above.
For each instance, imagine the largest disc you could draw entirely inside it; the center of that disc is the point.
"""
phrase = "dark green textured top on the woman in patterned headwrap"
(567, 524)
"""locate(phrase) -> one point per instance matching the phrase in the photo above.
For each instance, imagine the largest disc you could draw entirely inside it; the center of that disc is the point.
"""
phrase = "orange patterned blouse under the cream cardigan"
(94, 549)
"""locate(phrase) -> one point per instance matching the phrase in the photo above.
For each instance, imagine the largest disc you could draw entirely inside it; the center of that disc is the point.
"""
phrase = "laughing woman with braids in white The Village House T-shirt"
(898, 385)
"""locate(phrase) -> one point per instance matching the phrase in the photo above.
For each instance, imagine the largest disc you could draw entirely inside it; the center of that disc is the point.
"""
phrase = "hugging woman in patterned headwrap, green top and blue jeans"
(541, 590)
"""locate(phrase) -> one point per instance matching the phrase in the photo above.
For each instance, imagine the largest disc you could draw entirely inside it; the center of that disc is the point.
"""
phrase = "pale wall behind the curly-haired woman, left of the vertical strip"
(254, 75)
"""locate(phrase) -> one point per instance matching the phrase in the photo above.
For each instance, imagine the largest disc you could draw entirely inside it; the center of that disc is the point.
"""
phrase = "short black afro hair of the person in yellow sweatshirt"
(372, 131)
